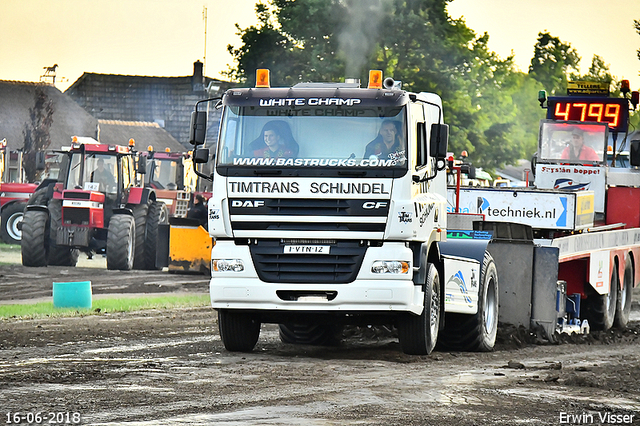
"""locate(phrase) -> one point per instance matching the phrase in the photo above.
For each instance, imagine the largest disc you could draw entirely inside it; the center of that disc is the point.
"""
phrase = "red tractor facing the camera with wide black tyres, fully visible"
(96, 206)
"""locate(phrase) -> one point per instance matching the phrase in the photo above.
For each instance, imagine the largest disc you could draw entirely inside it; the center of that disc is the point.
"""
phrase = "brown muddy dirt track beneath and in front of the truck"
(168, 367)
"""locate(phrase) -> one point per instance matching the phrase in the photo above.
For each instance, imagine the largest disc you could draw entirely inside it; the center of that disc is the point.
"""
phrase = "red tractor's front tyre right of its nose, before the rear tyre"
(120, 242)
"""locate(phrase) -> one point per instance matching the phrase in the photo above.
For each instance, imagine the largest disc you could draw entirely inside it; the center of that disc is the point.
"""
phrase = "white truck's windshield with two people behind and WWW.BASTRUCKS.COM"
(327, 137)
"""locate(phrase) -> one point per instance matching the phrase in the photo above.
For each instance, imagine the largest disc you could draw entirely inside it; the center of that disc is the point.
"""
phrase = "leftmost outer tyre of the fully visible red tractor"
(35, 238)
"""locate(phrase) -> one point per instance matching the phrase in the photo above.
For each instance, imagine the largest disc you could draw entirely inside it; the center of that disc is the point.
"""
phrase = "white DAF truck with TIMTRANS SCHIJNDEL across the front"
(329, 208)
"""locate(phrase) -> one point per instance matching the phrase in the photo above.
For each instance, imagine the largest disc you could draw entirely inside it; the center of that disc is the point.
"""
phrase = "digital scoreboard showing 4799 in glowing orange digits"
(613, 111)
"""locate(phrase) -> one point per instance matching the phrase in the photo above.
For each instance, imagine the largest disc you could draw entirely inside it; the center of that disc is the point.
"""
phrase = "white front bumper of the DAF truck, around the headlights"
(369, 292)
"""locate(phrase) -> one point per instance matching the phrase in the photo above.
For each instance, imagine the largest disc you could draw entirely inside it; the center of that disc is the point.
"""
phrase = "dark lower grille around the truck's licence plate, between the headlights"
(340, 266)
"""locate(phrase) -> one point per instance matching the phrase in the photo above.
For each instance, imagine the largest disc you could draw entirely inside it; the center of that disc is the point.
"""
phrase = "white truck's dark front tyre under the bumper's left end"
(239, 331)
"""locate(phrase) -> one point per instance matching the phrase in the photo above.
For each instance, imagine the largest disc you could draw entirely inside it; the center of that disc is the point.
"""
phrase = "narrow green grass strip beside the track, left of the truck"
(101, 306)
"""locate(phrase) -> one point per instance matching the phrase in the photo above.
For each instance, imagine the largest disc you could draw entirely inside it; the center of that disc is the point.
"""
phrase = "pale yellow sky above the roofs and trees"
(164, 37)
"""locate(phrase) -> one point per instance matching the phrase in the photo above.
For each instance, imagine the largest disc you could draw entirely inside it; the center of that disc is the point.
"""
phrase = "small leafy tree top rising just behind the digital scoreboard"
(552, 62)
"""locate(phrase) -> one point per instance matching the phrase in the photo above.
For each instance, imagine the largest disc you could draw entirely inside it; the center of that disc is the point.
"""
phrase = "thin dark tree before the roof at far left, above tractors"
(36, 133)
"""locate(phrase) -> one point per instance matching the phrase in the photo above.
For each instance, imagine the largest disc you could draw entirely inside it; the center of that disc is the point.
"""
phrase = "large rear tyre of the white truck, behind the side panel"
(476, 333)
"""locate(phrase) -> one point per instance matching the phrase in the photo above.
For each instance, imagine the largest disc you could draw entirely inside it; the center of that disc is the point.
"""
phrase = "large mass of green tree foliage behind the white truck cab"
(490, 106)
